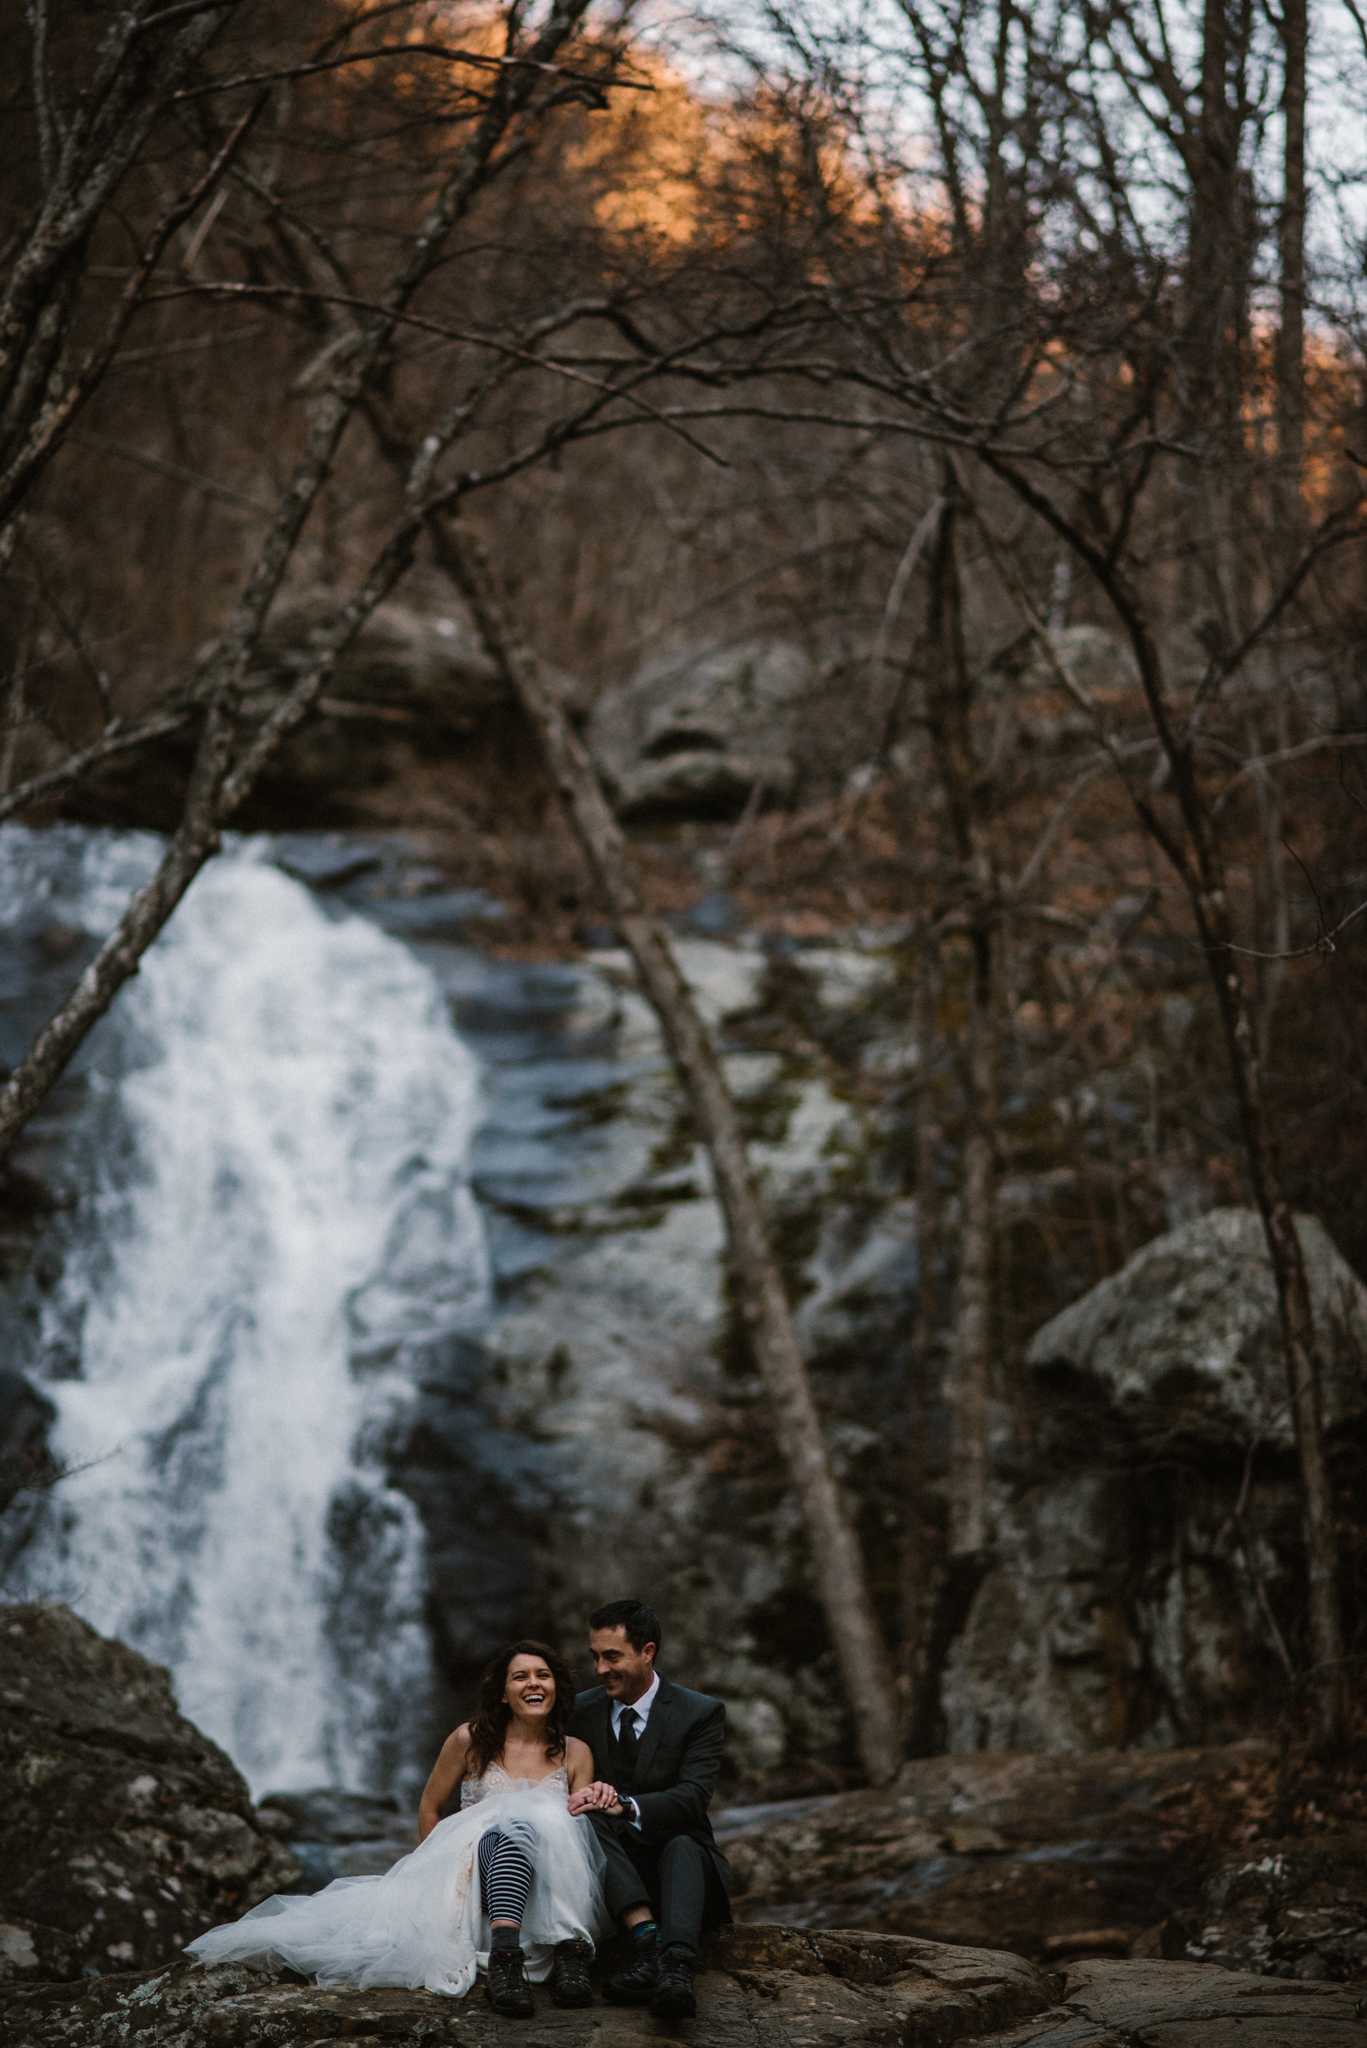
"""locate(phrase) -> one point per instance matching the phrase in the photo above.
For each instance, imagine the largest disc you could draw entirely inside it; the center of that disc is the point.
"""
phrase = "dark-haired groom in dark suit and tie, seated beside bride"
(657, 1754)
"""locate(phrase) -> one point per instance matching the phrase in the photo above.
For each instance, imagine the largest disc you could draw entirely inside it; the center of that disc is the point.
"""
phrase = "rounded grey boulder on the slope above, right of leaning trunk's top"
(700, 732)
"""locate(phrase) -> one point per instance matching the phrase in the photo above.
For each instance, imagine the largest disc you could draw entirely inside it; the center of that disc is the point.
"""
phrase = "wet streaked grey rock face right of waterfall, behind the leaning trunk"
(597, 1439)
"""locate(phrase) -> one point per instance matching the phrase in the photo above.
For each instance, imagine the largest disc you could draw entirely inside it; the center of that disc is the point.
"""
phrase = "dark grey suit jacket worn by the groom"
(677, 1764)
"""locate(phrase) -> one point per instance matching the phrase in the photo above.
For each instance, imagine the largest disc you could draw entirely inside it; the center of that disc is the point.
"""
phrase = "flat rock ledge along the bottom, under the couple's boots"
(765, 1988)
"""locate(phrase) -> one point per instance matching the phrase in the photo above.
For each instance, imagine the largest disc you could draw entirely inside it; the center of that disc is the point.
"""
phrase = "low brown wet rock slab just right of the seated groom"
(1046, 1857)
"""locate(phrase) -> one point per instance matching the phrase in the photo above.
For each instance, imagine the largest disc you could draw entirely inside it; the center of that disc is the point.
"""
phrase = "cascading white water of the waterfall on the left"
(274, 1211)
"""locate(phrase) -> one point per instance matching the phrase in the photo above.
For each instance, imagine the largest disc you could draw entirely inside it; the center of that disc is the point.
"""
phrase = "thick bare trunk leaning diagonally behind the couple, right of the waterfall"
(837, 1562)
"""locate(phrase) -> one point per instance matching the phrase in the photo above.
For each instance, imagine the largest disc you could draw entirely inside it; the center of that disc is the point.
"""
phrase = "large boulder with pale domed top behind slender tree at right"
(1147, 1578)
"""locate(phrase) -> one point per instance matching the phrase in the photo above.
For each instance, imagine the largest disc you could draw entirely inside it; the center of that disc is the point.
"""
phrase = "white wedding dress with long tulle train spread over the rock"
(423, 1924)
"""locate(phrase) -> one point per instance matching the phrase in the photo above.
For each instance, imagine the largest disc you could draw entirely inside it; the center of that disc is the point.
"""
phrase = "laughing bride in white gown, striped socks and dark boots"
(511, 1883)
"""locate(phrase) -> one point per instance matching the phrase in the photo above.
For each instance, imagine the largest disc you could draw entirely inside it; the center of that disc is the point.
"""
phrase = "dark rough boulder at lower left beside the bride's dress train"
(124, 1832)
